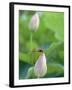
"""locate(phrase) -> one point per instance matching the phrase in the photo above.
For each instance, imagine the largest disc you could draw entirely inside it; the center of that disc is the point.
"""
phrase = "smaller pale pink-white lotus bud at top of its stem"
(34, 22)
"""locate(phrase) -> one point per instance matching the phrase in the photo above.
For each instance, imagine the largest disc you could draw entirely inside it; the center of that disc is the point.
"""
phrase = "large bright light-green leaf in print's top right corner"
(55, 21)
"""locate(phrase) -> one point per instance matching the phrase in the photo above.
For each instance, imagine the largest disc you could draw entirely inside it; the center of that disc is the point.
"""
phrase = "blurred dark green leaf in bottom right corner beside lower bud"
(55, 70)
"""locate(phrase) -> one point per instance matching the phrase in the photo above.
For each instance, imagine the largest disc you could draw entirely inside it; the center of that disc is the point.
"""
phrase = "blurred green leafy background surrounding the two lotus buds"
(49, 37)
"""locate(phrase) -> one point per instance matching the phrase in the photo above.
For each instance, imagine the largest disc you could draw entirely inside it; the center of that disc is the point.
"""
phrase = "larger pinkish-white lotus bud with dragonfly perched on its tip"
(40, 68)
